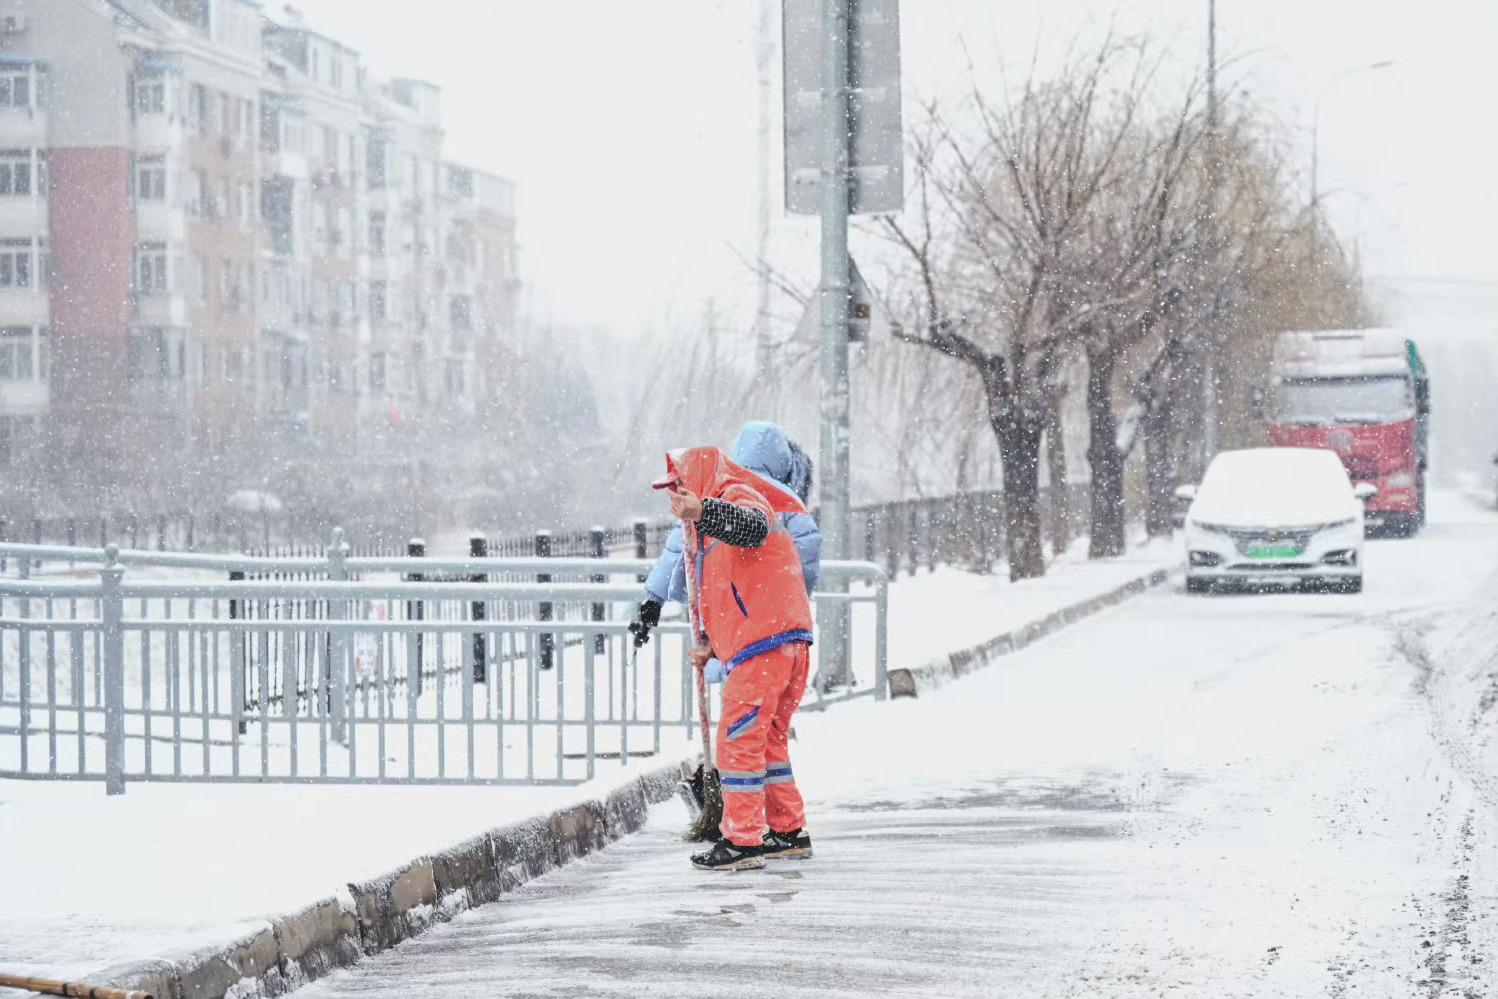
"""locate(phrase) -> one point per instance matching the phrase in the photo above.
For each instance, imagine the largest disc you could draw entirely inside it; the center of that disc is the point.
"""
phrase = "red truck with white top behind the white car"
(1367, 396)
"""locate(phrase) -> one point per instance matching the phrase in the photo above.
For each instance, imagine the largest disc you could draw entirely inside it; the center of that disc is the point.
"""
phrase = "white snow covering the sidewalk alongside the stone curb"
(89, 881)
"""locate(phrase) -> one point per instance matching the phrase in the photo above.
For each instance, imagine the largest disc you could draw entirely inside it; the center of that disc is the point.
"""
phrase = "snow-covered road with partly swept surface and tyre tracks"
(1232, 796)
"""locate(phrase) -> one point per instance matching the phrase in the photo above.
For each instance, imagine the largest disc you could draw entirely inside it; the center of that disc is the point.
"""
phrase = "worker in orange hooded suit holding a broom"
(754, 618)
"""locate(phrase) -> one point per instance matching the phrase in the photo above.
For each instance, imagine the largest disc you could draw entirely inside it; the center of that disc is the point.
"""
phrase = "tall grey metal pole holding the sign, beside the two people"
(834, 618)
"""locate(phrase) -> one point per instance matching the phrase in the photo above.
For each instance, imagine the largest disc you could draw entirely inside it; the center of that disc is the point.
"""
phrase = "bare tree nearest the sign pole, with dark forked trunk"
(997, 216)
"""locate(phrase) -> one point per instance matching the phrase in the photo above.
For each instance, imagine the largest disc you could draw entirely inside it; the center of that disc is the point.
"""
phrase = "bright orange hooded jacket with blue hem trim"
(748, 600)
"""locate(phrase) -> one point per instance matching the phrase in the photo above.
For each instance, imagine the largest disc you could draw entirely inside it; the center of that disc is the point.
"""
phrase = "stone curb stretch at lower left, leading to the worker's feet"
(375, 916)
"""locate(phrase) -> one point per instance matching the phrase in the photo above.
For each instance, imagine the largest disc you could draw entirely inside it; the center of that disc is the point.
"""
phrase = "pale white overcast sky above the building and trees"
(630, 125)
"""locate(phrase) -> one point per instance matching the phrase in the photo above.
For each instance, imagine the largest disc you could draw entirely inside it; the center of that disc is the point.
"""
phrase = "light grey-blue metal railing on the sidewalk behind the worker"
(351, 670)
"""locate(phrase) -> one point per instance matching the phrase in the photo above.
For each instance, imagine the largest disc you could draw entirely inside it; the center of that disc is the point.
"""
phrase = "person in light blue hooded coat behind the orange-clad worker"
(762, 447)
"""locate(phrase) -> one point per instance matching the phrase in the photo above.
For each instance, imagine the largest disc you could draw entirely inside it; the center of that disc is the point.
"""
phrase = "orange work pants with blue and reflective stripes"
(754, 760)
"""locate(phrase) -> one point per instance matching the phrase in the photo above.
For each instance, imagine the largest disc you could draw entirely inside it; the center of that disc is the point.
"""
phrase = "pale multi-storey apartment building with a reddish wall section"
(210, 215)
